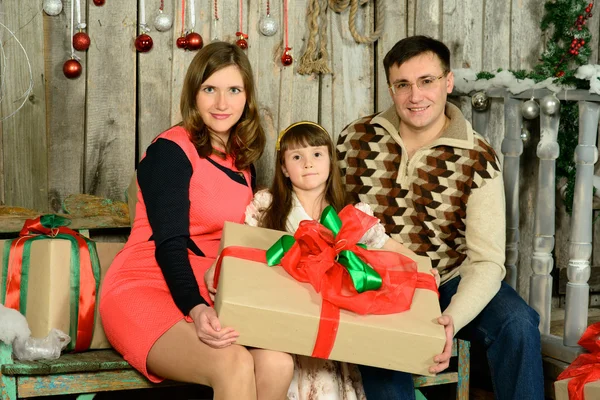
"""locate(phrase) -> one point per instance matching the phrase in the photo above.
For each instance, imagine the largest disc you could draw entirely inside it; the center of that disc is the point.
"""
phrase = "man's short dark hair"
(413, 46)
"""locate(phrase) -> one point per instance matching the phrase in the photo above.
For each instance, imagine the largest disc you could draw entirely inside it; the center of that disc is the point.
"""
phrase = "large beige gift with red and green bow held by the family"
(292, 310)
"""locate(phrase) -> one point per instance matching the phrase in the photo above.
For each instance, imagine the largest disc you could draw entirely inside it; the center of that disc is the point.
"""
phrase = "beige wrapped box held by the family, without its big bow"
(272, 310)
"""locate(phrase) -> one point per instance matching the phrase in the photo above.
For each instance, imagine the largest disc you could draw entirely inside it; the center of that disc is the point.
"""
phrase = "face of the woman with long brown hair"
(221, 100)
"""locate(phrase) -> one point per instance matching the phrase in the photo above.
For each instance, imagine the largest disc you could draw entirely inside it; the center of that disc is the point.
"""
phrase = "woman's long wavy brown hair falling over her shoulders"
(247, 138)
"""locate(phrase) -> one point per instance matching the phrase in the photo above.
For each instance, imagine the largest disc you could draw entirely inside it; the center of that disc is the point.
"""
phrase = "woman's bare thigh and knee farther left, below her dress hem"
(179, 355)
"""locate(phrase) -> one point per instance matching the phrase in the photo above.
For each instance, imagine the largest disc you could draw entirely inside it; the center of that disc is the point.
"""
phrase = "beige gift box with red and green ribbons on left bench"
(54, 287)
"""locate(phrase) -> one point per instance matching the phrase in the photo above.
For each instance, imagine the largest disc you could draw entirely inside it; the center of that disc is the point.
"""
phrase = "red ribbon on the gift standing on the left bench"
(34, 229)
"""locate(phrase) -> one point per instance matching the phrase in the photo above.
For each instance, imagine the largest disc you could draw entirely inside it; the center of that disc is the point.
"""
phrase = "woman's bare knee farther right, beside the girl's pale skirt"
(273, 371)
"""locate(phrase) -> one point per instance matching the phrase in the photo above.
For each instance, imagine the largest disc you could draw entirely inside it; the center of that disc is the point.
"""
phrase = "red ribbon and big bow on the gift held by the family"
(313, 259)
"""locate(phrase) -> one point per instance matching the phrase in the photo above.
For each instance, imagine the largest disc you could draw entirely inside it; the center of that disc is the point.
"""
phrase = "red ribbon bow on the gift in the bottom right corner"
(586, 367)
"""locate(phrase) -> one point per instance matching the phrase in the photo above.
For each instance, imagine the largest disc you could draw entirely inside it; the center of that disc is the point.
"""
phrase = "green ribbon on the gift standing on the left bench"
(52, 221)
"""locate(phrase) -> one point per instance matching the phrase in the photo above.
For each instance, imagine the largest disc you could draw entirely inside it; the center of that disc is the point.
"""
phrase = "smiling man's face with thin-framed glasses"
(421, 109)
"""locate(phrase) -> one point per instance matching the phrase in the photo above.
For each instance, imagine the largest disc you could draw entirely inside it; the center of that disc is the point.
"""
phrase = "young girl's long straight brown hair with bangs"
(303, 134)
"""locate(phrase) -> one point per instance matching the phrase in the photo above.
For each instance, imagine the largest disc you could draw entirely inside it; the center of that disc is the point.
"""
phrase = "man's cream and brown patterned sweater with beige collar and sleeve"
(446, 202)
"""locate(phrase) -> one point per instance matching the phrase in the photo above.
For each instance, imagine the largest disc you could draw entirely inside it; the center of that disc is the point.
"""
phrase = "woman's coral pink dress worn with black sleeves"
(136, 305)
